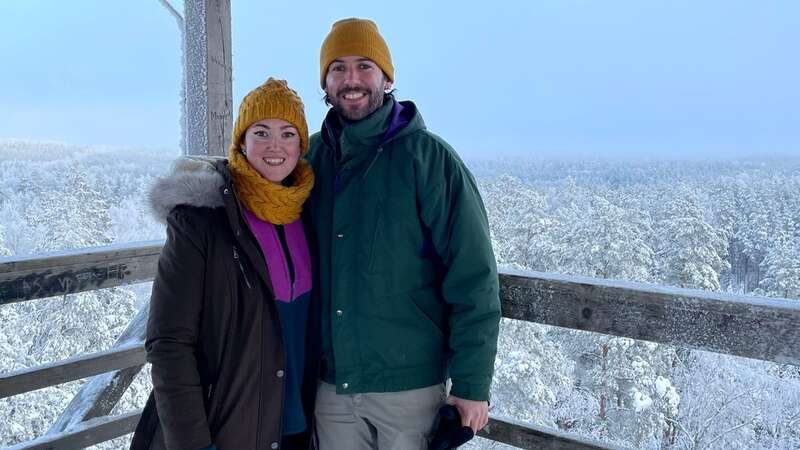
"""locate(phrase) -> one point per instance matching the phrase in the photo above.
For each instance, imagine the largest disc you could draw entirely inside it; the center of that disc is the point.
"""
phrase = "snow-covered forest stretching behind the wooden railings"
(727, 226)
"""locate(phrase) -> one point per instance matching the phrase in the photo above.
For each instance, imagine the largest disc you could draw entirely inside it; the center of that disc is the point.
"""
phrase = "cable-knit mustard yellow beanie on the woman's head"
(272, 100)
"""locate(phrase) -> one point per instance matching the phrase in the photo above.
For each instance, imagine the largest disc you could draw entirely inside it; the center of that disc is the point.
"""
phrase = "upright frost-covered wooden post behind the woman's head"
(208, 77)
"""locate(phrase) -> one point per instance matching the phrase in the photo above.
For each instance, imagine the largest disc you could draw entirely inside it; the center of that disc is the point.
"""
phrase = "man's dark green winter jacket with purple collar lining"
(407, 275)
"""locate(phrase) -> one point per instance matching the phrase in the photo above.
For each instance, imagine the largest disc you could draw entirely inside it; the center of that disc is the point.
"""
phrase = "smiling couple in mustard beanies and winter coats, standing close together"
(321, 301)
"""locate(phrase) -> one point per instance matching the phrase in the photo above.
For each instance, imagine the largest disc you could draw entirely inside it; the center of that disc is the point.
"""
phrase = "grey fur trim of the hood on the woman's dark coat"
(193, 181)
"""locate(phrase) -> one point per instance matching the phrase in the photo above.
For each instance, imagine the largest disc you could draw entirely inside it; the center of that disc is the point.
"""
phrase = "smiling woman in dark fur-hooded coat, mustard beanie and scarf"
(232, 334)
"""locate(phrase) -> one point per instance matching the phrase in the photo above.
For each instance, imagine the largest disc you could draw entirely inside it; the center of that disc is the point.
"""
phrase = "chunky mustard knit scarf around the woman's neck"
(271, 202)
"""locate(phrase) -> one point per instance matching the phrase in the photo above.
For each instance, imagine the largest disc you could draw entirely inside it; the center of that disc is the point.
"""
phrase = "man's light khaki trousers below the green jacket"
(376, 421)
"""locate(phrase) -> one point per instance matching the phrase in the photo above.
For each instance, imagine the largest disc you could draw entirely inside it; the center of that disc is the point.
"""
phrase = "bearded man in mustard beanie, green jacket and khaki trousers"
(407, 277)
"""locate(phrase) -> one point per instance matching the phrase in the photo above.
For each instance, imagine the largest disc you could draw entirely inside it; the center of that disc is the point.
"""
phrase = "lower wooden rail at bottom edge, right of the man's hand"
(529, 436)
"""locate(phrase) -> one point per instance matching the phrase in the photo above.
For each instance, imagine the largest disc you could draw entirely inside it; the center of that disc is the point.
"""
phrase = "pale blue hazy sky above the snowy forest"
(670, 78)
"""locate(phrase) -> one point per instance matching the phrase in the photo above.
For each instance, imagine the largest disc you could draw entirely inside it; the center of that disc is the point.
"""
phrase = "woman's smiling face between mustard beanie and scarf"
(272, 147)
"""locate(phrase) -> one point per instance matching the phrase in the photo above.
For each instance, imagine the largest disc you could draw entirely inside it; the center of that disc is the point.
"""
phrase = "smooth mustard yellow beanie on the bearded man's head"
(355, 37)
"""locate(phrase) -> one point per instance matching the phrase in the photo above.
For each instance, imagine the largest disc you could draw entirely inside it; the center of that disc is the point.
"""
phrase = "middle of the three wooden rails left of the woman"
(25, 380)
